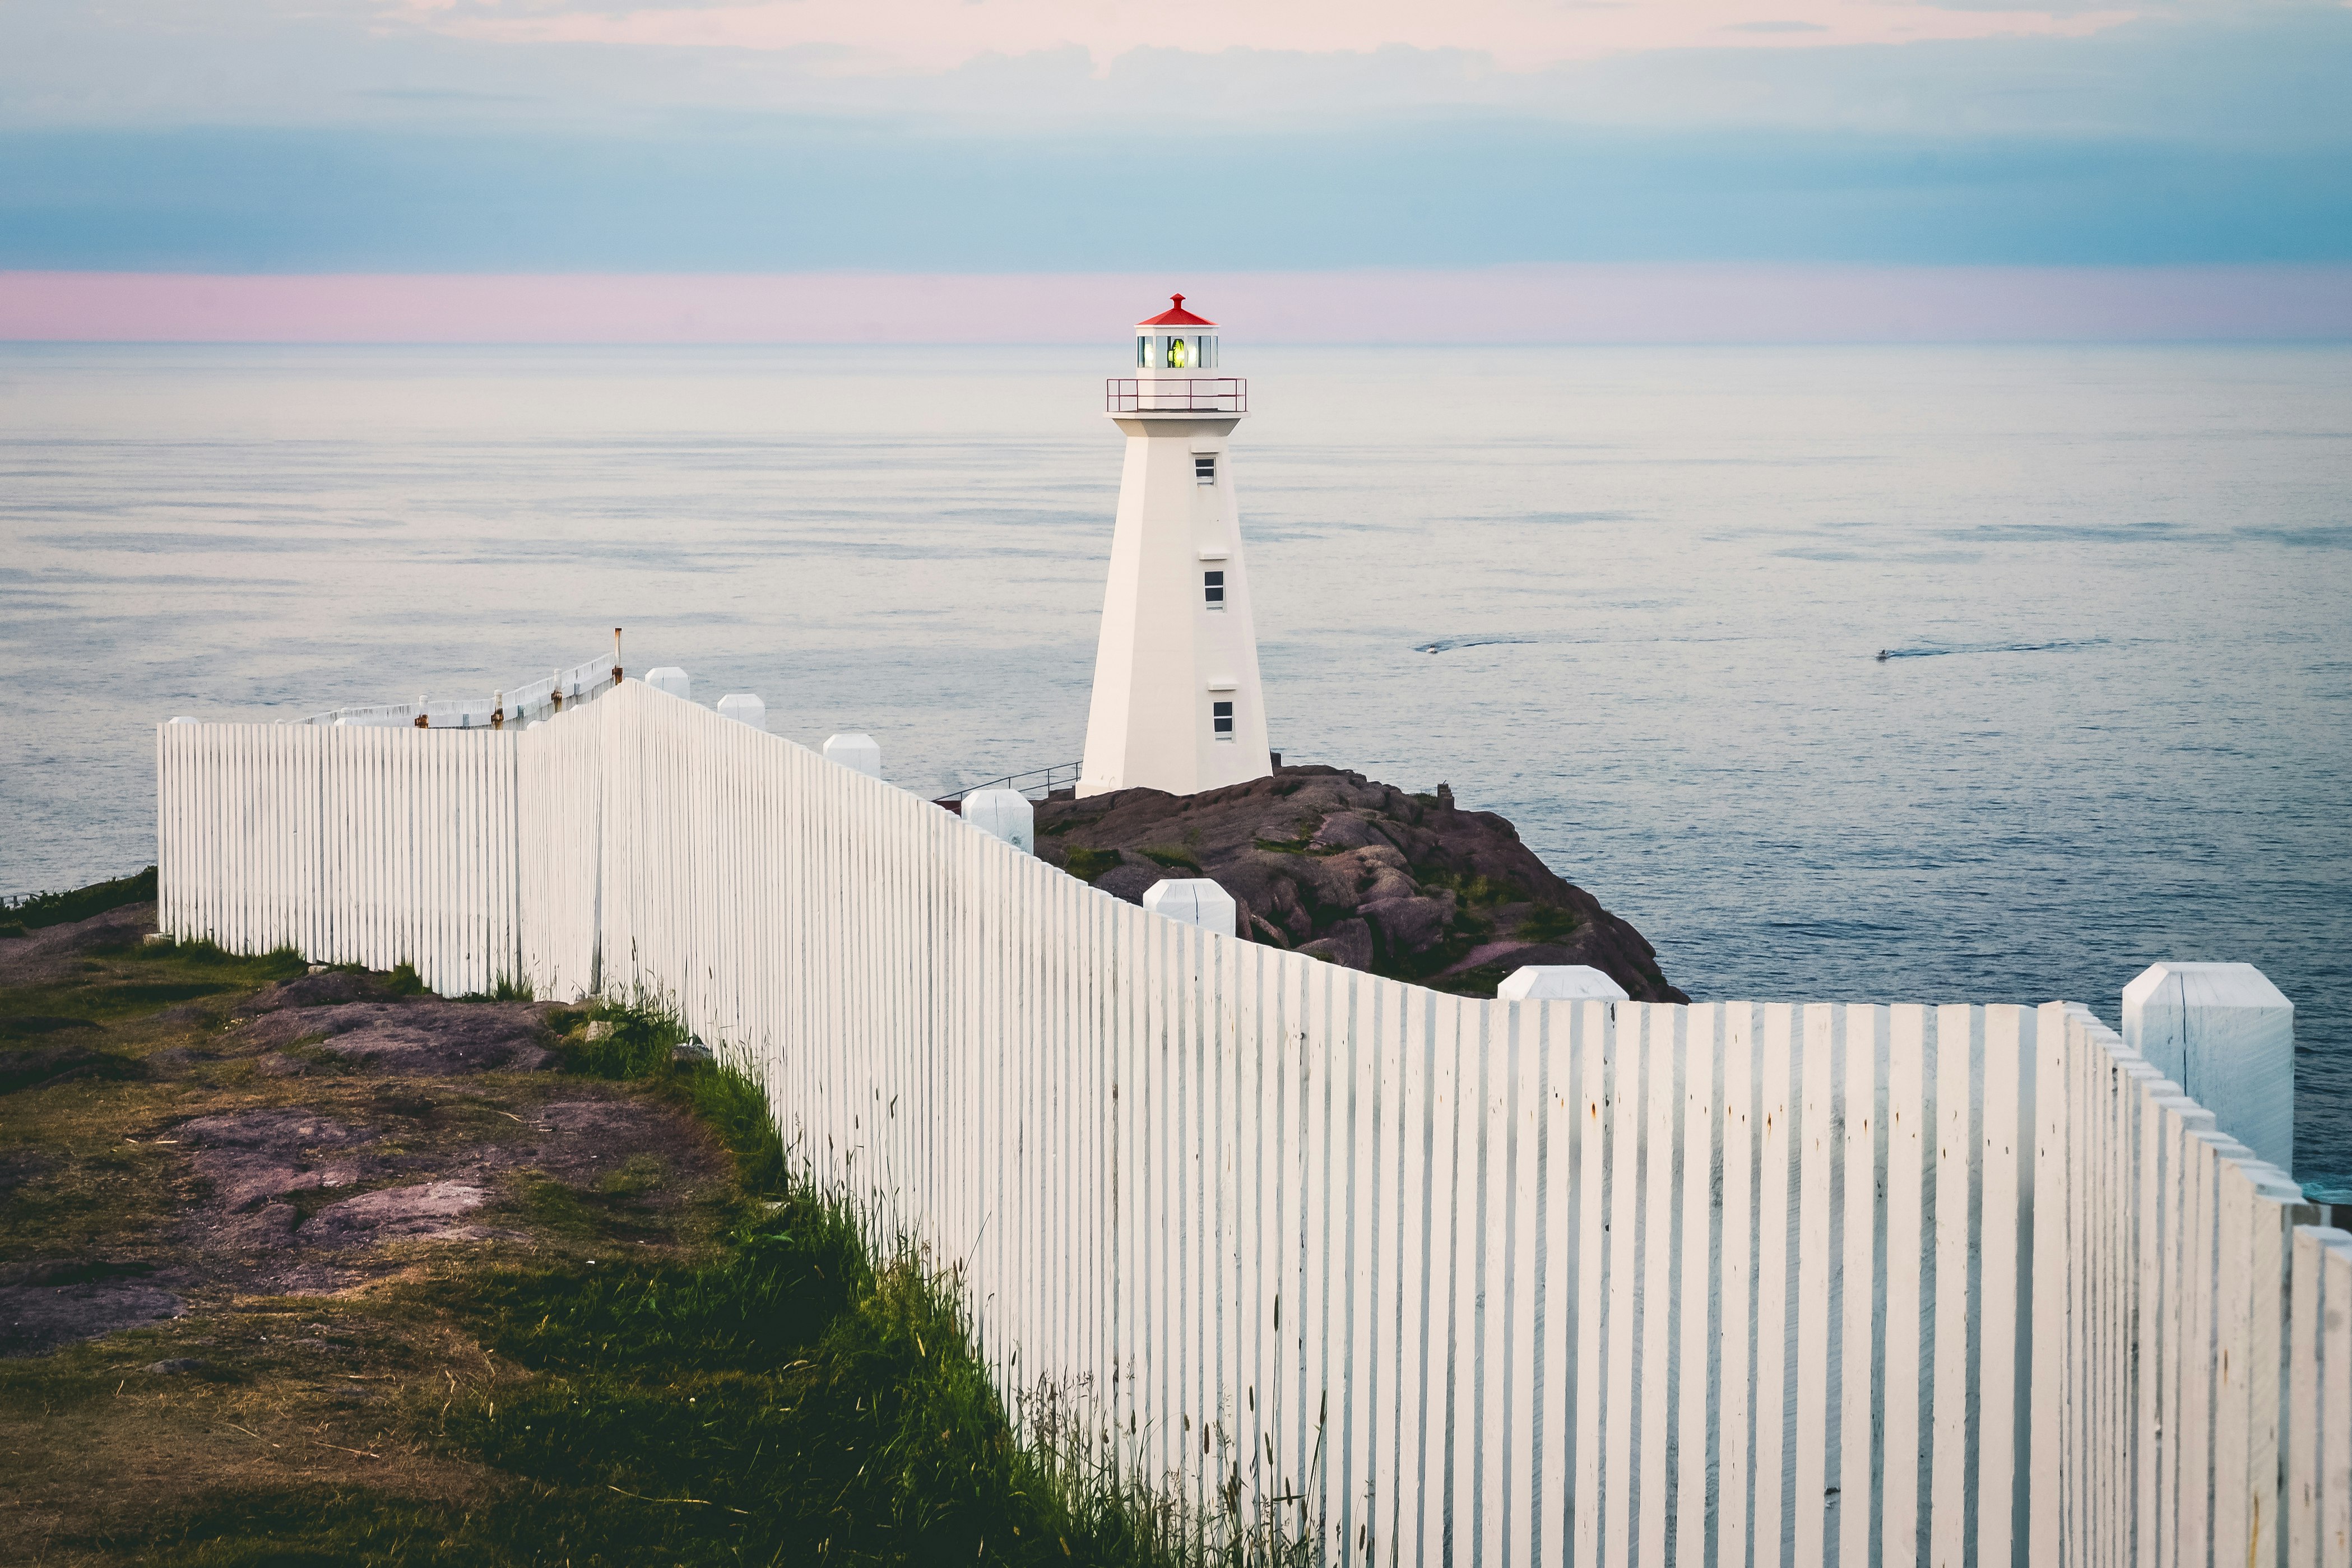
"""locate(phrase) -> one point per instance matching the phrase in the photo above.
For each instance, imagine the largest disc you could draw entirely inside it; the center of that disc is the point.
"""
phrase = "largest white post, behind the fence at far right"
(2229, 1038)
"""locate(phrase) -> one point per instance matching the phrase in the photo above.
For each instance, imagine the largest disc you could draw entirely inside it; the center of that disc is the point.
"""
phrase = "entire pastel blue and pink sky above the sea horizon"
(2184, 166)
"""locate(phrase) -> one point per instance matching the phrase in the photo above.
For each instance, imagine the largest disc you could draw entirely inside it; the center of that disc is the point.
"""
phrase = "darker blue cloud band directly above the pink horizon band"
(810, 196)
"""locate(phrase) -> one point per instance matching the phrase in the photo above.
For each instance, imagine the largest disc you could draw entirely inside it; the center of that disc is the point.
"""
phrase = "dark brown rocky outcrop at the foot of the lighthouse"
(1356, 873)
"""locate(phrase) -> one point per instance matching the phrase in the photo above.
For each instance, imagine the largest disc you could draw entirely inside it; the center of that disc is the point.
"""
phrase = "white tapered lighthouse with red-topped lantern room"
(1177, 699)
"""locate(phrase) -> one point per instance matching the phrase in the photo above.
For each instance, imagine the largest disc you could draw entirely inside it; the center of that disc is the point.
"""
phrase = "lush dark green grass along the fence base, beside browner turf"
(782, 1400)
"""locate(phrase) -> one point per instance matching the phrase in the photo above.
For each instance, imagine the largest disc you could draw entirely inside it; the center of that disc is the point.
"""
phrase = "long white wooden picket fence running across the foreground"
(1419, 1278)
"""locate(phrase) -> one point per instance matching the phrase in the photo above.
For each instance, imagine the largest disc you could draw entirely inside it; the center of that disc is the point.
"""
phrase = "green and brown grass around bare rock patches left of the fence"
(683, 1360)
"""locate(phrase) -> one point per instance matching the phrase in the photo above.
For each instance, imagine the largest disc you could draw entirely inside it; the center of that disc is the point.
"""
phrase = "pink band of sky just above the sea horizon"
(1535, 304)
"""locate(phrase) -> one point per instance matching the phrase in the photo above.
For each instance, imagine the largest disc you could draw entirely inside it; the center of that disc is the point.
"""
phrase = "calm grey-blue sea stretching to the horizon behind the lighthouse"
(2116, 584)
